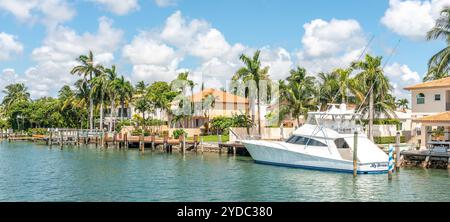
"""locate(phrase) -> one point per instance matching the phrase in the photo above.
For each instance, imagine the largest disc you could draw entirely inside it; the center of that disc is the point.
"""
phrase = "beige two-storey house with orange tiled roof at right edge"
(430, 111)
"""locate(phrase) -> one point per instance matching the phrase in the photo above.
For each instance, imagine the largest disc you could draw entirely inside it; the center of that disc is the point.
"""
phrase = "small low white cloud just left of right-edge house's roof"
(401, 76)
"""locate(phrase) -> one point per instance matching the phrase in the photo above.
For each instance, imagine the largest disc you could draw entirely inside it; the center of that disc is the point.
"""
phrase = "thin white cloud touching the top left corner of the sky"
(49, 12)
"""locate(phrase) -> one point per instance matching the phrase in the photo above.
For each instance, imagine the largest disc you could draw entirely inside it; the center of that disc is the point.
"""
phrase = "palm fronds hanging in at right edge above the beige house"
(438, 64)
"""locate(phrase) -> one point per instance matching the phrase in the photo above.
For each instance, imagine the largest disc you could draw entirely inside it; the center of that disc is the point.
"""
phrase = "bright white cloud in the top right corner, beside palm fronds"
(412, 18)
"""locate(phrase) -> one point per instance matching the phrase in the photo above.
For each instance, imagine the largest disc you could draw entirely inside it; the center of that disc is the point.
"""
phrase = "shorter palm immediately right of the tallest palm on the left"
(99, 91)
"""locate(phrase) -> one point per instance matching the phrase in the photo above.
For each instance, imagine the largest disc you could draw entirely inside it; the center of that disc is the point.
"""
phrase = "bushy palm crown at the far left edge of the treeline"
(14, 93)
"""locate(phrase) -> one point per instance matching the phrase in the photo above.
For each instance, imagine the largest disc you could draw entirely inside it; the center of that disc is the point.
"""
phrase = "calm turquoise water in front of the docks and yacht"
(30, 172)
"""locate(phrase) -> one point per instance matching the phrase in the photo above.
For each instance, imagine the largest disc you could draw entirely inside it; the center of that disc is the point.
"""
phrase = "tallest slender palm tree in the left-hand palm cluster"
(87, 68)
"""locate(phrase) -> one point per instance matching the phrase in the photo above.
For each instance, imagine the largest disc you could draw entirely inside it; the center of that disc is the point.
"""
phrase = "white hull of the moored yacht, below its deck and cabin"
(288, 158)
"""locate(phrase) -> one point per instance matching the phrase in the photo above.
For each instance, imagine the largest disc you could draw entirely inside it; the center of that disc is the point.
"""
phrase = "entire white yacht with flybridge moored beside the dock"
(324, 142)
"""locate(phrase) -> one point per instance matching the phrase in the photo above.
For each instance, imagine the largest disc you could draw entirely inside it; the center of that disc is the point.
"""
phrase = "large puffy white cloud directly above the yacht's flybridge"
(330, 45)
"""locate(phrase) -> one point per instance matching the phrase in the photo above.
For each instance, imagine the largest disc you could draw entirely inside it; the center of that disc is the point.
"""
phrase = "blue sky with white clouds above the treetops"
(153, 40)
